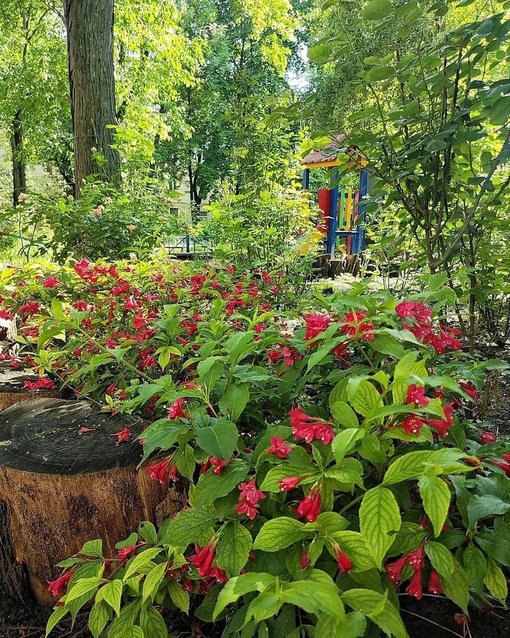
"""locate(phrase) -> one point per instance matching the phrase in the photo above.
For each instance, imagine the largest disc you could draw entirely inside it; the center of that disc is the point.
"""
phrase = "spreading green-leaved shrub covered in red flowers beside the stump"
(324, 452)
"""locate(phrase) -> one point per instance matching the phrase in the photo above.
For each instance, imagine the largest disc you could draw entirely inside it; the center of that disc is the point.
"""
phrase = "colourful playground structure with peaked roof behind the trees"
(342, 209)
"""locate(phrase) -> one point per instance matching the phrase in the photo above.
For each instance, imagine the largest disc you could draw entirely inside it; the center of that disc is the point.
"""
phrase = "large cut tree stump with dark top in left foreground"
(61, 485)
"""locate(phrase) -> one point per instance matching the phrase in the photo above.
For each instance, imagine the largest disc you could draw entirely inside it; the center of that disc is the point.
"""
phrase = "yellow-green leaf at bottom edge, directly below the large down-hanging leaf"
(378, 608)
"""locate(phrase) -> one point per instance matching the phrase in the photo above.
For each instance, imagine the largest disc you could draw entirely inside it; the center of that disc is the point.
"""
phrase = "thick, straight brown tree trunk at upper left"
(89, 25)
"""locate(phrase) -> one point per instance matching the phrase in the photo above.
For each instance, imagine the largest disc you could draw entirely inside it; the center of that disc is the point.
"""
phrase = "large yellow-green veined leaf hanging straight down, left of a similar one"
(379, 519)
